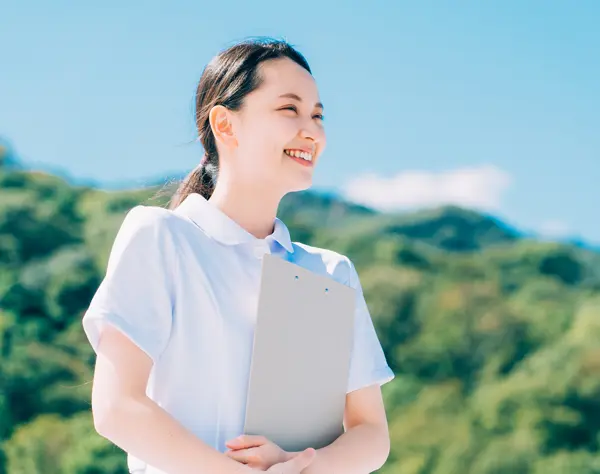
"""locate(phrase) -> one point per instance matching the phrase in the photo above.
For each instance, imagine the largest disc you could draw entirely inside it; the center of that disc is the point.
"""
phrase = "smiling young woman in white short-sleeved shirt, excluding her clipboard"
(172, 321)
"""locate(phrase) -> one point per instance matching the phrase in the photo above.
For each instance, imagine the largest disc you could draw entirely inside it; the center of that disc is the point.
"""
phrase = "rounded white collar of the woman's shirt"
(222, 228)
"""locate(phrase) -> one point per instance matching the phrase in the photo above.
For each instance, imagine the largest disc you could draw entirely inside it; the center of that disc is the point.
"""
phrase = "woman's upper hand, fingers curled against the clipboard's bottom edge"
(256, 451)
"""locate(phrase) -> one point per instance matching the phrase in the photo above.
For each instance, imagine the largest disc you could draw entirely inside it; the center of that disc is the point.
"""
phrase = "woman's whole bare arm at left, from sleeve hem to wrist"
(128, 418)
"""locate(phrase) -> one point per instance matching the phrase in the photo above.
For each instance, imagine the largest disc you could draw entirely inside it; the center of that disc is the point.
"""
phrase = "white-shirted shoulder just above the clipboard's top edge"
(340, 267)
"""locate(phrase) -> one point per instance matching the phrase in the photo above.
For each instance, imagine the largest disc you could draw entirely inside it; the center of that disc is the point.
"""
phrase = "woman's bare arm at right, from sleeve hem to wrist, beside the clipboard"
(365, 445)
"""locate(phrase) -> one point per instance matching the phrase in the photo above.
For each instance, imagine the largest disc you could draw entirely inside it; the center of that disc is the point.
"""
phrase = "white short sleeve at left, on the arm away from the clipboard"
(135, 295)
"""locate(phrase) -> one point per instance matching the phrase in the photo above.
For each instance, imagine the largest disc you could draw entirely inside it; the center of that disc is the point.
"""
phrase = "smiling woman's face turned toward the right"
(279, 133)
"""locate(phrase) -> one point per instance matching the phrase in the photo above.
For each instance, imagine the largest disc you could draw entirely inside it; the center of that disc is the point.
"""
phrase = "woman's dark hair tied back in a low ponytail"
(226, 81)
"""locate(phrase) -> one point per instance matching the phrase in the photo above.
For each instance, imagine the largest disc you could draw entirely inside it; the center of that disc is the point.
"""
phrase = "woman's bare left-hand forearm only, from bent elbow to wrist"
(143, 429)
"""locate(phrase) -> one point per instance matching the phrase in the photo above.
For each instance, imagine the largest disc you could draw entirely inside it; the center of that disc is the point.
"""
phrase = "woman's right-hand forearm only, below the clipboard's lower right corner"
(360, 450)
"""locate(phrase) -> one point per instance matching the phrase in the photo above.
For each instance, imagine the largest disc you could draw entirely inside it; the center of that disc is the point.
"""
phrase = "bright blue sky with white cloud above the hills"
(493, 105)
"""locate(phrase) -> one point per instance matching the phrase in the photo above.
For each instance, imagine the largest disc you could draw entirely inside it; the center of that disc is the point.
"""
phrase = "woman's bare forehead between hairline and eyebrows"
(283, 76)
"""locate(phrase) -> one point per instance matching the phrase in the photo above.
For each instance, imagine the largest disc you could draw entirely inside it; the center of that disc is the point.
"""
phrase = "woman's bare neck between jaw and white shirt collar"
(253, 209)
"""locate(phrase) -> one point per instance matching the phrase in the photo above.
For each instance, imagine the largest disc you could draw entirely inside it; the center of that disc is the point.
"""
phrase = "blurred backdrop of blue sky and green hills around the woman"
(461, 176)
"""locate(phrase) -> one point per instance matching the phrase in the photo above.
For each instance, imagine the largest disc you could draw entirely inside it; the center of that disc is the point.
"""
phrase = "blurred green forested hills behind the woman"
(494, 337)
